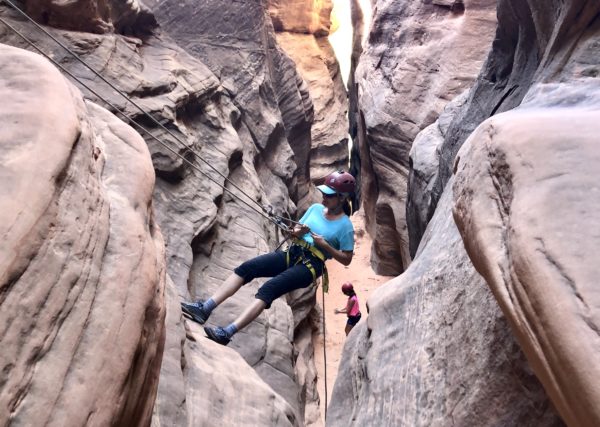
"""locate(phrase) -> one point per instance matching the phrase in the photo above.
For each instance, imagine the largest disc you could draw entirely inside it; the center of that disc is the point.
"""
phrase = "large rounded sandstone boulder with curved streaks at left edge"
(82, 265)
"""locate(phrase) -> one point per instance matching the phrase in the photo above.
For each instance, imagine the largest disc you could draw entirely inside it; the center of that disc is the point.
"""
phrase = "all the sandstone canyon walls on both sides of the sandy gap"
(98, 249)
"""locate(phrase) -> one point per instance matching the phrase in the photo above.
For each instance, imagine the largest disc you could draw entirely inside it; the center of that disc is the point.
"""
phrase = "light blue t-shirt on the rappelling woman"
(339, 233)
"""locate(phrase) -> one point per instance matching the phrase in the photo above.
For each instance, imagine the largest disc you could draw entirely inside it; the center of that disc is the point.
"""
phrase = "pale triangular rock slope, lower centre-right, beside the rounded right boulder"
(435, 349)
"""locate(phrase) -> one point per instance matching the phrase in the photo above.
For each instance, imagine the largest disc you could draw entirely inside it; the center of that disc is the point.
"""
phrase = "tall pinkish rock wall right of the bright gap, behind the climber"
(418, 56)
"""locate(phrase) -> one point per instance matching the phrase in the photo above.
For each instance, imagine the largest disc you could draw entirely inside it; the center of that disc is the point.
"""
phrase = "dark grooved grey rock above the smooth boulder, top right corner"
(538, 43)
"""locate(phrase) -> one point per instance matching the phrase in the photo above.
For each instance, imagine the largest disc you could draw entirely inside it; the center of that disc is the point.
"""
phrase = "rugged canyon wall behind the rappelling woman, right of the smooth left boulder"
(226, 90)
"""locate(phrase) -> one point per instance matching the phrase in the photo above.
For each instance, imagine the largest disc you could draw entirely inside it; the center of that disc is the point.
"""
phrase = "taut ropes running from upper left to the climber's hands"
(276, 219)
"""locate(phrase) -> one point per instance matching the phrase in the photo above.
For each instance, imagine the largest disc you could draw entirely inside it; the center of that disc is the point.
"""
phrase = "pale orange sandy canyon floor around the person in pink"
(365, 281)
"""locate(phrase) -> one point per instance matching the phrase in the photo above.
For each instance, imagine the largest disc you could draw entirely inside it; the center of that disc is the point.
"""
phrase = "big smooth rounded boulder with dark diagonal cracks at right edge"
(526, 201)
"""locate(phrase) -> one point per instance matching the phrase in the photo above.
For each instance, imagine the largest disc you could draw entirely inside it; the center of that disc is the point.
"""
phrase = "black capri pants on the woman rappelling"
(284, 279)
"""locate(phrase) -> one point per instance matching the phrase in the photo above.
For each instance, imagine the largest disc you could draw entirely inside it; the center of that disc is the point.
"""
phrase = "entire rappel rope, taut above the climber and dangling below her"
(266, 213)
